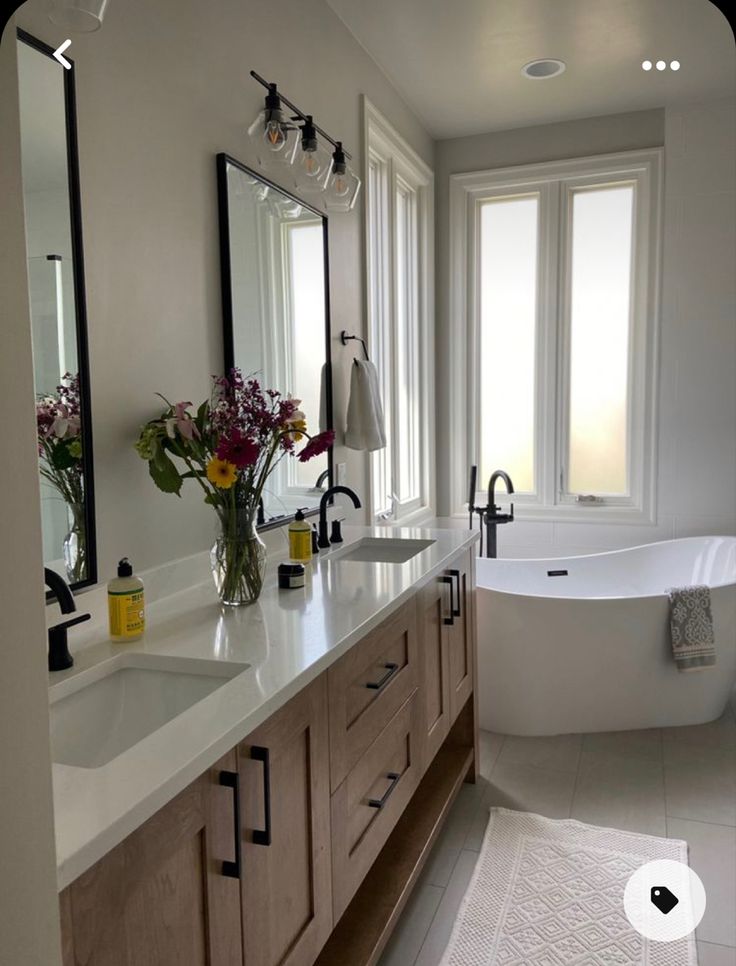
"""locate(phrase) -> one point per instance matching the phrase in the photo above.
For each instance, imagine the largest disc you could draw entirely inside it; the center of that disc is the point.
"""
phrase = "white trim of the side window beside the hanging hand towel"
(381, 138)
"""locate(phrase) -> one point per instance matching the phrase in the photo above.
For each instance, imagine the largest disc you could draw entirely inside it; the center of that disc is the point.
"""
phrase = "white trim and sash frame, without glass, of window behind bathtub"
(465, 191)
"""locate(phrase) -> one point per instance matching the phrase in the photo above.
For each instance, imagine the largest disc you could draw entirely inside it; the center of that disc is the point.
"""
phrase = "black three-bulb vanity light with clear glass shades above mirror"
(315, 169)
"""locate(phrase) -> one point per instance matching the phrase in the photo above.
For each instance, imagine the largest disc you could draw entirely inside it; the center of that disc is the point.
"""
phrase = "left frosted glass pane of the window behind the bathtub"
(508, 324)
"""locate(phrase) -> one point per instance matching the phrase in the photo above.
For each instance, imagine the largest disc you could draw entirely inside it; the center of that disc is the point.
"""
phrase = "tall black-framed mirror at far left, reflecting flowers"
(50, 170)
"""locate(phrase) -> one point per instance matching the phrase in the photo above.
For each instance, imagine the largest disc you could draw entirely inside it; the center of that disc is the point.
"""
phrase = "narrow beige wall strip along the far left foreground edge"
(28, 909)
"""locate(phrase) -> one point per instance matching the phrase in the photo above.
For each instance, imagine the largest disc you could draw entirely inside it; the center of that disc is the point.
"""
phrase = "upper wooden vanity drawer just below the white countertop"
(367, 687)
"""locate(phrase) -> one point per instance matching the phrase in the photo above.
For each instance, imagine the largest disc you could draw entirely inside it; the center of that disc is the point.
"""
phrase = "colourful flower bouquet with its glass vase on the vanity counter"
(230, 446)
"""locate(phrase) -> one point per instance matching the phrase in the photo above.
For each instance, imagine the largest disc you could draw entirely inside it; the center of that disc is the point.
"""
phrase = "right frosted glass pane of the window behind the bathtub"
(599, 339)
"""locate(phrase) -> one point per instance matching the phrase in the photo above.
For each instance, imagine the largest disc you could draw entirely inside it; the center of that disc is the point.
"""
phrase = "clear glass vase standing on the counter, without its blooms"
(238, 560)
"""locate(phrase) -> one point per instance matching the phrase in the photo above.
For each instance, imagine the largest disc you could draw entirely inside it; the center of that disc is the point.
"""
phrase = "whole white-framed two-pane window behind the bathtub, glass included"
(539, 282)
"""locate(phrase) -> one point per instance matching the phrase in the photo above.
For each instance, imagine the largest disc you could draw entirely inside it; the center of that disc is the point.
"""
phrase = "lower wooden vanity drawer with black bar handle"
(368, 804)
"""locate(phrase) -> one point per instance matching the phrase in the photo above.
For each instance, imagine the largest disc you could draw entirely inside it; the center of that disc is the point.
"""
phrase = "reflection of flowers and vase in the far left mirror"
(59, 432)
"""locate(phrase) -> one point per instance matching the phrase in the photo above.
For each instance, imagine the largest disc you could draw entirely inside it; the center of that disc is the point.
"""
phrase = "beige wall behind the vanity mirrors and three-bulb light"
(161, 88)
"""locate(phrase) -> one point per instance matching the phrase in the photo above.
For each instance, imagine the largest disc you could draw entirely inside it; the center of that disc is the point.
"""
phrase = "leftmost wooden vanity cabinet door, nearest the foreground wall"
(160, 898)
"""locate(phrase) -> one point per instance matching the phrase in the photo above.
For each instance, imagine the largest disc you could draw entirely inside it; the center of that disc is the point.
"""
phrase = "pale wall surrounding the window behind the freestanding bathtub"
(697, 381)
